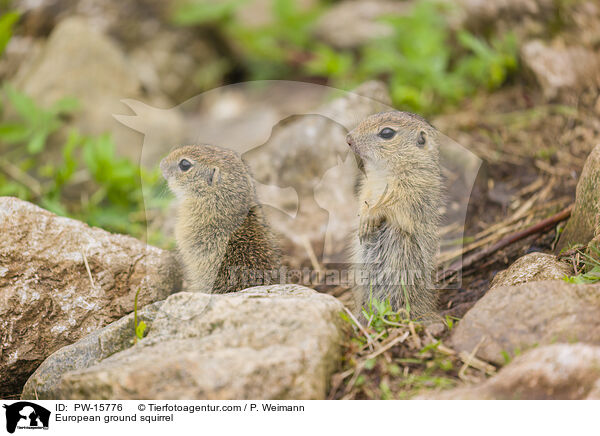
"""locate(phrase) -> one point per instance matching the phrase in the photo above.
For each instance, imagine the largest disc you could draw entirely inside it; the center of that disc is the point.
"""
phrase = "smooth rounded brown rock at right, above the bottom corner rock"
(511, 319)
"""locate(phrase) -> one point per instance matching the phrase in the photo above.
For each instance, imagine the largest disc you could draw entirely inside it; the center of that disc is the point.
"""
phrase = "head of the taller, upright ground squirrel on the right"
(399, 140)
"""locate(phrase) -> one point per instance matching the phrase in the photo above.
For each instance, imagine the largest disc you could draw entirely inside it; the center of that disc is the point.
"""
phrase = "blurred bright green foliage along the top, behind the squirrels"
(427, 67)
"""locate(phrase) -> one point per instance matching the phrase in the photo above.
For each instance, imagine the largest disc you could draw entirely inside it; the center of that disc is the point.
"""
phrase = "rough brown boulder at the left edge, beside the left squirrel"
(48, 299)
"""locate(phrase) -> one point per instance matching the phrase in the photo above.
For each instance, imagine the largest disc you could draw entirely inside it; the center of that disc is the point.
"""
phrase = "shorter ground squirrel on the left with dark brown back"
(221, 233)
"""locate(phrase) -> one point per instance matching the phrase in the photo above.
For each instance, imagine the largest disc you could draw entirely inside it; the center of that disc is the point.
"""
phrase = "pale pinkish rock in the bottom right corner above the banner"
(558, 372)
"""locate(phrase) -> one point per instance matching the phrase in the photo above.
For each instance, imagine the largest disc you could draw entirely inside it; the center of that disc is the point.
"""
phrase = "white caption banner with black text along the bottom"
(299, 417)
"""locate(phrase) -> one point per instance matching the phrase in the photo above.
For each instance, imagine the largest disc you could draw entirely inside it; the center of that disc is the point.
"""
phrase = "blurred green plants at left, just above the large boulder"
(85, 180)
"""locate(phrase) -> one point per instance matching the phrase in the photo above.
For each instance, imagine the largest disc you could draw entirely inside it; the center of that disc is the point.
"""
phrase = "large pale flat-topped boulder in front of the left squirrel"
(267, 342)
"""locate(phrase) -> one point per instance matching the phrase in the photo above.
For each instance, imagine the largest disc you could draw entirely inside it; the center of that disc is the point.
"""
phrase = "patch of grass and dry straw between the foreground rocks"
(417, 362)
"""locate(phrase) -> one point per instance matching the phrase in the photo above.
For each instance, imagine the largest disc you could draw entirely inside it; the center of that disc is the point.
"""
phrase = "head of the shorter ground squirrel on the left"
(212, 175)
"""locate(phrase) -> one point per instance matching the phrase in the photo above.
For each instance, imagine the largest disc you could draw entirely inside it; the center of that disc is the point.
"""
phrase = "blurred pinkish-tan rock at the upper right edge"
(561, 72)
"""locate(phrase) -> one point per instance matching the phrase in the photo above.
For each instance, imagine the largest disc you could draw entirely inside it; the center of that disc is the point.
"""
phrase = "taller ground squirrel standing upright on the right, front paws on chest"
(400, 197)
